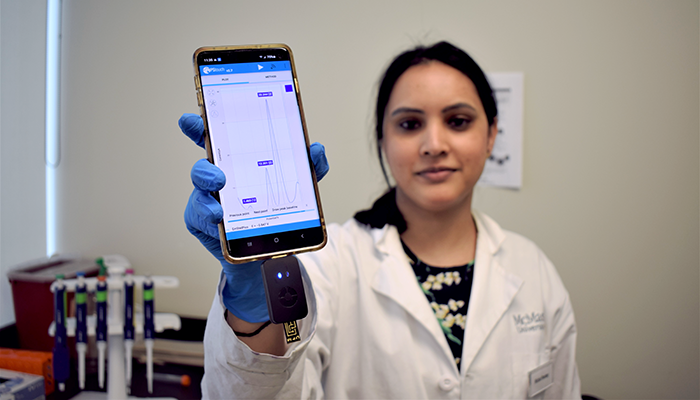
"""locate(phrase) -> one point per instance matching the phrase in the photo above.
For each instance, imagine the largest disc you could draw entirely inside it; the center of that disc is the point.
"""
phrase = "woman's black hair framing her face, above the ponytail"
(447, 54)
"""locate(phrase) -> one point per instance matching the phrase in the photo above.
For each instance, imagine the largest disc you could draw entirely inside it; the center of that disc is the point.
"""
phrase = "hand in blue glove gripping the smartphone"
(244, 292)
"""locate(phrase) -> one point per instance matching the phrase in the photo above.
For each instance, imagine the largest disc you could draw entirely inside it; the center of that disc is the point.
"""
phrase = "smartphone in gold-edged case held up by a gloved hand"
(255, 133)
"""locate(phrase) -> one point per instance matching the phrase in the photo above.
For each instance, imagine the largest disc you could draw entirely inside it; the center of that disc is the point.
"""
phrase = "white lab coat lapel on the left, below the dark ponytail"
(395, 279)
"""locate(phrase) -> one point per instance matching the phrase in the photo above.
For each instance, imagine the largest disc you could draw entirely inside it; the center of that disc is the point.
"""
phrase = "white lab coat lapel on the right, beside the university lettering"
(493, 290)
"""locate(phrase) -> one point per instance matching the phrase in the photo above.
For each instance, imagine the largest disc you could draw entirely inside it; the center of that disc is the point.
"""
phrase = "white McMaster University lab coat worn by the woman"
(371, 333)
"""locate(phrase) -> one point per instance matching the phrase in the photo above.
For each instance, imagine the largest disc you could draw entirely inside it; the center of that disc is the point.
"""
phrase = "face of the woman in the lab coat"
(436, 137)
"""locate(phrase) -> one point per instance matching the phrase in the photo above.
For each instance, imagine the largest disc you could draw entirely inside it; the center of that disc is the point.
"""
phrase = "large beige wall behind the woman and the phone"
(611, 174)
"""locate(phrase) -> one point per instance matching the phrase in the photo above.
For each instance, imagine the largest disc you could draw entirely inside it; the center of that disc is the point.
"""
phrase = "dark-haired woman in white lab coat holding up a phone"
(418, 297)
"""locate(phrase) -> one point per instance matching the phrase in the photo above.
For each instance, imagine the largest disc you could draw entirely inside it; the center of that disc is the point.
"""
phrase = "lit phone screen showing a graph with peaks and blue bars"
(258, 141)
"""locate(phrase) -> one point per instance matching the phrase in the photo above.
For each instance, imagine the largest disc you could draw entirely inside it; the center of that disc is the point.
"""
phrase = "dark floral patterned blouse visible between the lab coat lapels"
(448, 291)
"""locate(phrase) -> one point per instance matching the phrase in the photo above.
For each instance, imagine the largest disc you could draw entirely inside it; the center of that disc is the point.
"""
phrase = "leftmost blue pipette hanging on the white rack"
(61, 361)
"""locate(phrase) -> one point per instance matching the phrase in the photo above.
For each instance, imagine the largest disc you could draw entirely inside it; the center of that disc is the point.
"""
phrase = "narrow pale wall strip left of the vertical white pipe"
(22, 211)
